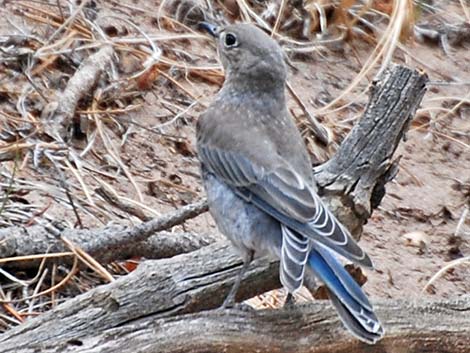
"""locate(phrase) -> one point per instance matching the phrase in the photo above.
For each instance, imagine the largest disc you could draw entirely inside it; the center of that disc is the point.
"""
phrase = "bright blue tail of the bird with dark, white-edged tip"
(350, 302)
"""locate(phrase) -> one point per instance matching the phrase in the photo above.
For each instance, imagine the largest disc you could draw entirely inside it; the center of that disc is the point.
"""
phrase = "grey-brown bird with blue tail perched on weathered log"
(259, 181)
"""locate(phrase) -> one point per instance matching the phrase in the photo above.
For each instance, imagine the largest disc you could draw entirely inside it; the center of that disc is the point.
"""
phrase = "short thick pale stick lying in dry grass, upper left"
(59, 113)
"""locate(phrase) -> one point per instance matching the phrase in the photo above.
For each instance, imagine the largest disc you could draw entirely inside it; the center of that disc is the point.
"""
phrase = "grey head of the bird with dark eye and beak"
(249, 55)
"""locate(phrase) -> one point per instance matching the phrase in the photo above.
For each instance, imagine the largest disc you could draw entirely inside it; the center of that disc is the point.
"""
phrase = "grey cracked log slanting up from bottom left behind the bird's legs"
(158, 288)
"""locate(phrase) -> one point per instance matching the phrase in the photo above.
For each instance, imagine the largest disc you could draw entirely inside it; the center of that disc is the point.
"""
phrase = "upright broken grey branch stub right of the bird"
(354, 179)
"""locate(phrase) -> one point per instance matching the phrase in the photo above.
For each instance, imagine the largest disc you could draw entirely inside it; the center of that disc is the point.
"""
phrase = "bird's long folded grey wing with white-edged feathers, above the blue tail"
(284, 195)
